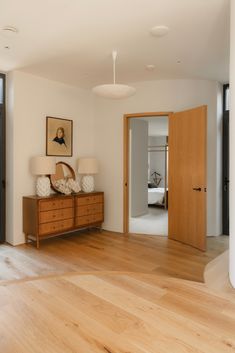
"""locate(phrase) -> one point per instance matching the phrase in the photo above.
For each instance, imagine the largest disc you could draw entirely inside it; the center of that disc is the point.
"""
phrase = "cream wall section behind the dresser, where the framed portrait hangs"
(30, 100)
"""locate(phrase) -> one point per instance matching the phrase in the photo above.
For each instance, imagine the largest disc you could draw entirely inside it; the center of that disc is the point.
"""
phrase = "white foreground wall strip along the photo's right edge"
(232, 148)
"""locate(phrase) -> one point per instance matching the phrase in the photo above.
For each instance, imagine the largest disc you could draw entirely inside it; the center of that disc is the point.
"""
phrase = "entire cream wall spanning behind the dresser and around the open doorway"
(98, 131)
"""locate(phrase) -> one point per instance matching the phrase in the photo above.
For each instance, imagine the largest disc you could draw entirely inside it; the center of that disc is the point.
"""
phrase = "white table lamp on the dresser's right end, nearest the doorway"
(88, 167)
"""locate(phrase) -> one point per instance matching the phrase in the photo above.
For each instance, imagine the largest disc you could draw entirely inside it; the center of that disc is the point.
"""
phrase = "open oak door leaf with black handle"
(187, 177)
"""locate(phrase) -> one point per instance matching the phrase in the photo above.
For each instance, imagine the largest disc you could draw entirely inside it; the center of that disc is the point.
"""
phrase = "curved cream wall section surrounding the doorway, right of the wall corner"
(162, 95)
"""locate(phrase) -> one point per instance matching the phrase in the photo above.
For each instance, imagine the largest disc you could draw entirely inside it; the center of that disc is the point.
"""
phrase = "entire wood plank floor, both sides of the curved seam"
(108, 293)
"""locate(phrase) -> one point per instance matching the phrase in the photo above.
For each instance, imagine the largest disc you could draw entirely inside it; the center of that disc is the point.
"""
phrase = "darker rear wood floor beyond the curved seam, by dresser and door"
(107, 251)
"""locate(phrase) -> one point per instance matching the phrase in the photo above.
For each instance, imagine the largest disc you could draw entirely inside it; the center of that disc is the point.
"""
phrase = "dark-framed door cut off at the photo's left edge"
(2, 157)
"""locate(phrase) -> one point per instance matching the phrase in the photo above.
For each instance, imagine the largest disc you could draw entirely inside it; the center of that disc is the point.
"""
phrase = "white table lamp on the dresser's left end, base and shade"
(43, 166)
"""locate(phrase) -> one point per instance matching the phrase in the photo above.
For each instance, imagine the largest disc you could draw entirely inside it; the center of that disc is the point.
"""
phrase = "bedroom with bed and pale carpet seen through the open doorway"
(148, 175)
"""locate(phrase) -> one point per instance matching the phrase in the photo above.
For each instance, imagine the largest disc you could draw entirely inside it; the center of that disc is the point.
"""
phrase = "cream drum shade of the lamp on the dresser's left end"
(42, 165)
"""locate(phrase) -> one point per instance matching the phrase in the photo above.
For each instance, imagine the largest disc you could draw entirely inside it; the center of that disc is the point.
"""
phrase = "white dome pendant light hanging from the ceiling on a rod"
(114, 90)
